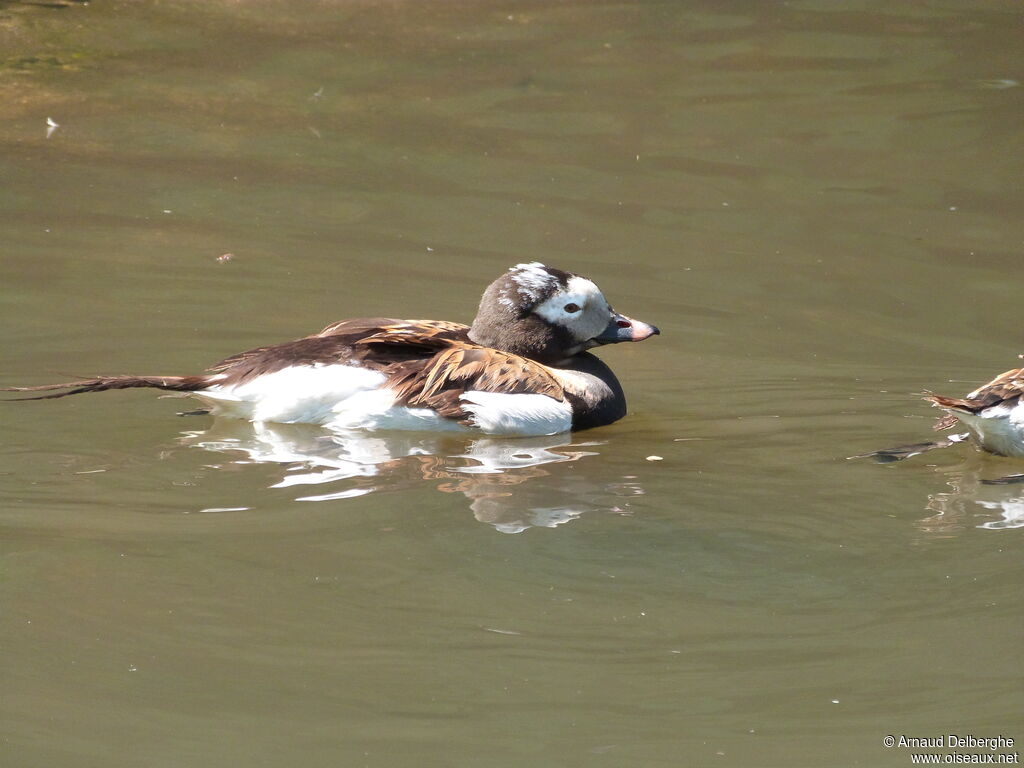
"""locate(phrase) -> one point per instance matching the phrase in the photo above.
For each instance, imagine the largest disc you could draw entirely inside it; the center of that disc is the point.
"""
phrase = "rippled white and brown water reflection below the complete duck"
(494, 474)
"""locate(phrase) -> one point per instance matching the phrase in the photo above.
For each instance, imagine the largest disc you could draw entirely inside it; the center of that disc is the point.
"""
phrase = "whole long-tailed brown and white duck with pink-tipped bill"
(523, 368)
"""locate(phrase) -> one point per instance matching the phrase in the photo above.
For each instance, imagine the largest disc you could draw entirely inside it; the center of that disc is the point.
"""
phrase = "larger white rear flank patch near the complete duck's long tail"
(307, 395)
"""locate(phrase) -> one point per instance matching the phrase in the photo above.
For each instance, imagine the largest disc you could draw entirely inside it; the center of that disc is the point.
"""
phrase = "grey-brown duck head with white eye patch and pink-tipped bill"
(549, 316)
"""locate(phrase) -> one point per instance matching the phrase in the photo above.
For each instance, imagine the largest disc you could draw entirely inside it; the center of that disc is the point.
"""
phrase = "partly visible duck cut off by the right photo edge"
(993, 414)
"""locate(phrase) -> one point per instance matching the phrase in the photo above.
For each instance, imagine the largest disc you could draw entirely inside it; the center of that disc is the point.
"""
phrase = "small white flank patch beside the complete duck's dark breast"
(494, 413)
